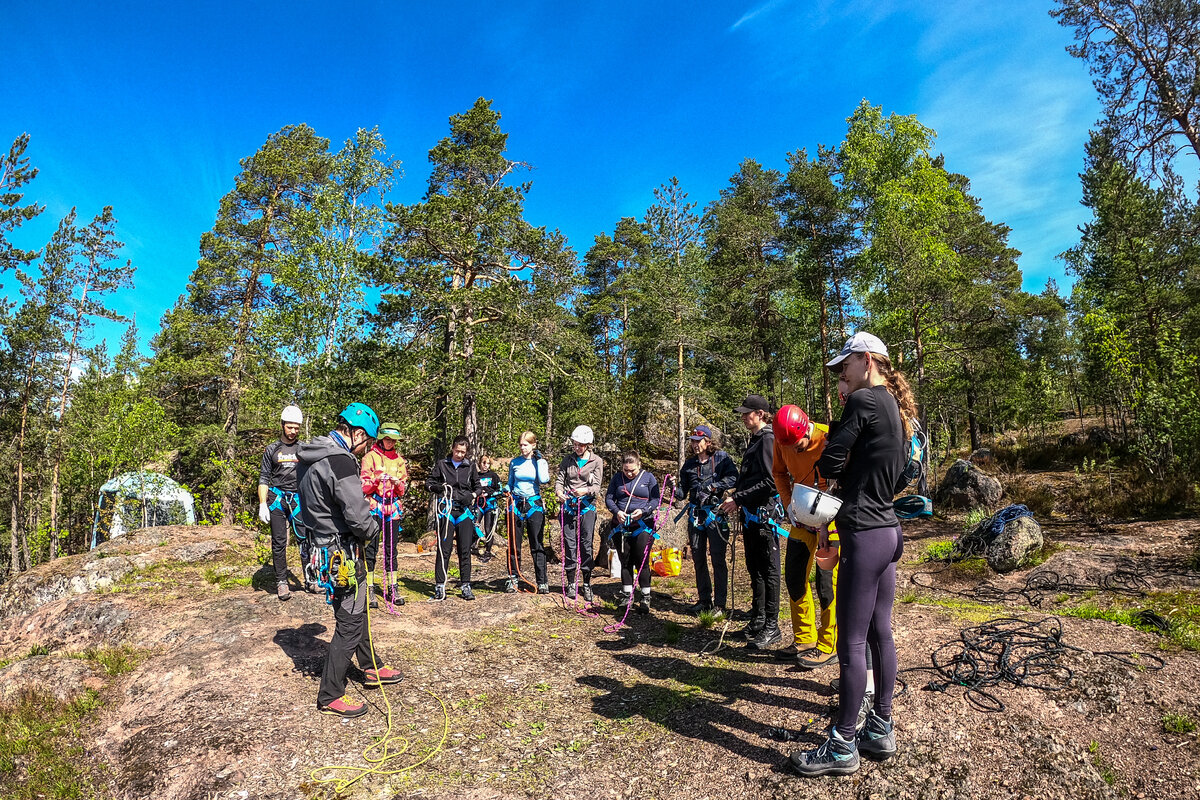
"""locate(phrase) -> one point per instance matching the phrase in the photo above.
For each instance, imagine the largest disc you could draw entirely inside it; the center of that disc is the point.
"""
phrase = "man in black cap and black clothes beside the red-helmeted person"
(755, 490)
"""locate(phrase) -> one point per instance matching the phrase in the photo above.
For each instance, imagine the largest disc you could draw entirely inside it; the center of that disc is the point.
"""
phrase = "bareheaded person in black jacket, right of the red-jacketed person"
(454, 486)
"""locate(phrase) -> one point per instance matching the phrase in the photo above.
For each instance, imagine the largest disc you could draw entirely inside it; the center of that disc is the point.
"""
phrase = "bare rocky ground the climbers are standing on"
(523, 696)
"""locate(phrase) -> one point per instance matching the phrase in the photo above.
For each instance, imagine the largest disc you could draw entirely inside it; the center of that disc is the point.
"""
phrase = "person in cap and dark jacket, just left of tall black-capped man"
(704, 480)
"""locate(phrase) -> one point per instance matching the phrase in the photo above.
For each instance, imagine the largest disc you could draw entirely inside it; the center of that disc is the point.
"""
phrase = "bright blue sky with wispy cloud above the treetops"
(149, 106)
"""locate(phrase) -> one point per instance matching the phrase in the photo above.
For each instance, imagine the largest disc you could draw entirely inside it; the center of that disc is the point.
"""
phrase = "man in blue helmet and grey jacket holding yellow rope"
(339, 522)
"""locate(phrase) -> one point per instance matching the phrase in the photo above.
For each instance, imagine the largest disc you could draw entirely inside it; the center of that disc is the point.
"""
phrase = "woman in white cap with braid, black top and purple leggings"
(866, 456)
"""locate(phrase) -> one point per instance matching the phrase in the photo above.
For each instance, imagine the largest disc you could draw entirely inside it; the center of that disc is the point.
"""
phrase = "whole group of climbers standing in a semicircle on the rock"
(345, 508)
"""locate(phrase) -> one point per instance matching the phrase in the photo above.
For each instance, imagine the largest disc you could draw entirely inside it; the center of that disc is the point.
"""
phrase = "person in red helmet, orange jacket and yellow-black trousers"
(799, 446)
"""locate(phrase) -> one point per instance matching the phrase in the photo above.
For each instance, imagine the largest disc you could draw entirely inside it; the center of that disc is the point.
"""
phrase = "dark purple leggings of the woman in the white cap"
(867, 588)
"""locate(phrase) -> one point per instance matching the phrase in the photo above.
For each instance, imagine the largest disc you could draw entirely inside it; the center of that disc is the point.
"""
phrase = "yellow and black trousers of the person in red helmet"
(807, 629)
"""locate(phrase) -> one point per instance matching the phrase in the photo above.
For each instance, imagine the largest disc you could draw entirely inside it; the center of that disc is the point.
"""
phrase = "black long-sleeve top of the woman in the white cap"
(866, 454)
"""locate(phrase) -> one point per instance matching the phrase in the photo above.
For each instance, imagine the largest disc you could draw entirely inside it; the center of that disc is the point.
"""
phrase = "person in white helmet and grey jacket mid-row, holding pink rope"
(578, 486)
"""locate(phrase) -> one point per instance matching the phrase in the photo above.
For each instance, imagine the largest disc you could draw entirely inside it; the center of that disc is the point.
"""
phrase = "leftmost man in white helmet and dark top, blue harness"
(278, 503)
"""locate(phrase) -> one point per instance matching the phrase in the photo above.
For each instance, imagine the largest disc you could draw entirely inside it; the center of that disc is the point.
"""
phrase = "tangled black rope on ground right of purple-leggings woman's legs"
(1012, 653)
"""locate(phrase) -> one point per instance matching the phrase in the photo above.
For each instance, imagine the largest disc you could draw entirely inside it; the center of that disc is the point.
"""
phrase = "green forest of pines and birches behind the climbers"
(457, 315)
